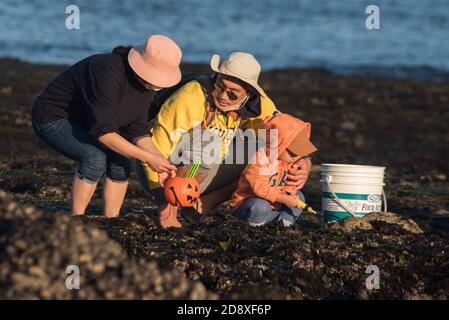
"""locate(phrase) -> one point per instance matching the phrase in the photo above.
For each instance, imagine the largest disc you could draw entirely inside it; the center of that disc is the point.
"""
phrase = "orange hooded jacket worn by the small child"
(263, 177)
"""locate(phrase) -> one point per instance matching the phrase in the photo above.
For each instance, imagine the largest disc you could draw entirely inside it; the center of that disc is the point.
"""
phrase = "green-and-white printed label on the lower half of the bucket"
(358, 203)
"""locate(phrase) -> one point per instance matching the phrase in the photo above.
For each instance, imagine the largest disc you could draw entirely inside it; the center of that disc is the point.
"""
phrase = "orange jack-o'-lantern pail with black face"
(182, 192)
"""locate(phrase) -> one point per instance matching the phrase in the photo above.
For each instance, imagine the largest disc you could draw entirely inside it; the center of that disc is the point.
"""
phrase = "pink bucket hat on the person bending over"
(157, 61)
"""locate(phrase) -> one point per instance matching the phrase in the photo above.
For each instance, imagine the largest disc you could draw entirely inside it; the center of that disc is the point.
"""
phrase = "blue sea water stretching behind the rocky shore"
(413, 35)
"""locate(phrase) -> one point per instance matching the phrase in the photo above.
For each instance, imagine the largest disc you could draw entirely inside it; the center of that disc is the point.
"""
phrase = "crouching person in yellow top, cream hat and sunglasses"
(228, 100)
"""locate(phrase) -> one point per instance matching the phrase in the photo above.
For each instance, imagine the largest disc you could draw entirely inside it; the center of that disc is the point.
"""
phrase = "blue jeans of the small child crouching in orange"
(258, 211)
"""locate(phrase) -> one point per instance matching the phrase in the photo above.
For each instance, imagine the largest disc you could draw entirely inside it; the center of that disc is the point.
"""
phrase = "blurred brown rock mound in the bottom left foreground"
(35, 251)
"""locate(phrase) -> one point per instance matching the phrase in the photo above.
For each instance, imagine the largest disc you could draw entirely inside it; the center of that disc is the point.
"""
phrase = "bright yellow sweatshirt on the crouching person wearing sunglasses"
(184, 110)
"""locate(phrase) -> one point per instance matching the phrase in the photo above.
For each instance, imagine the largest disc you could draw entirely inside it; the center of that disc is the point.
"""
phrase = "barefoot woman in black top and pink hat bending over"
(96, 112)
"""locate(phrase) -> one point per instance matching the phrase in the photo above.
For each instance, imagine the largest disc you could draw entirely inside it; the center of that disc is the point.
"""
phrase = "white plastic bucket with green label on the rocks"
(351, 190)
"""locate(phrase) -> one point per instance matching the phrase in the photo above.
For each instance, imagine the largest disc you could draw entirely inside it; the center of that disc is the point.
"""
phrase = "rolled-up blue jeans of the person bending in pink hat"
(73, 141)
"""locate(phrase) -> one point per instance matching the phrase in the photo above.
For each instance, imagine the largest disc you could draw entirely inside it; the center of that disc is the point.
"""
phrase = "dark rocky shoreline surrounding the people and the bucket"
(400, 124)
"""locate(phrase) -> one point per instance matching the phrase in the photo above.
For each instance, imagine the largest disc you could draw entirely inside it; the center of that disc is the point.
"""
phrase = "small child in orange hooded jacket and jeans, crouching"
(262, 194)
